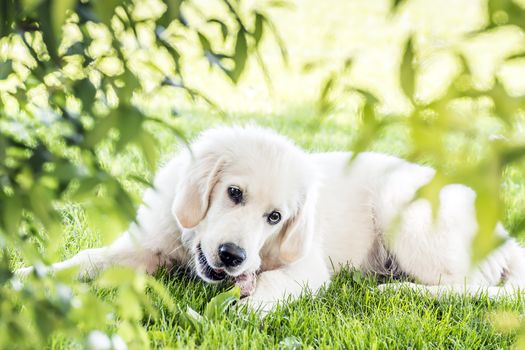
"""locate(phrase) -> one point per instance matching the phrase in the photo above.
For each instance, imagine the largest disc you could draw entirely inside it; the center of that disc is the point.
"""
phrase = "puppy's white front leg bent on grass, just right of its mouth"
(287, 282)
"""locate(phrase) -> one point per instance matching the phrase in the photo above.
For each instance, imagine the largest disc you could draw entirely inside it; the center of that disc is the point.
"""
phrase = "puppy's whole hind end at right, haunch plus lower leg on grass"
(437, 251)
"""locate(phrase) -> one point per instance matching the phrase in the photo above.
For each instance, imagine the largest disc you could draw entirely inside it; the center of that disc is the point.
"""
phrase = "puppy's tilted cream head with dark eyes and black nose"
(247, 194)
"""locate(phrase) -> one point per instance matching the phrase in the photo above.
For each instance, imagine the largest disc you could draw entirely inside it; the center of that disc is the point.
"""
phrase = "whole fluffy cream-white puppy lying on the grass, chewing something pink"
(332, 213)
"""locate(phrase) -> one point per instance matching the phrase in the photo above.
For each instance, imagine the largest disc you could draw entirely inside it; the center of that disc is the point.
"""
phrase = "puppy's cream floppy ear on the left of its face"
(193, 193)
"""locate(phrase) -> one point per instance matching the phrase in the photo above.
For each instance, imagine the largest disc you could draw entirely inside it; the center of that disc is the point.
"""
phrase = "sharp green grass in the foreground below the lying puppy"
(351, 313)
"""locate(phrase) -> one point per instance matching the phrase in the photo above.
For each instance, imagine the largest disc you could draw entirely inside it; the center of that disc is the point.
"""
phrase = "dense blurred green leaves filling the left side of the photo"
(71, 89)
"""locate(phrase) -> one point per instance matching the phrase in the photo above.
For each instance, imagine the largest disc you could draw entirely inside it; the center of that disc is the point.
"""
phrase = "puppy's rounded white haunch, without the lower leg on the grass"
(435, 248)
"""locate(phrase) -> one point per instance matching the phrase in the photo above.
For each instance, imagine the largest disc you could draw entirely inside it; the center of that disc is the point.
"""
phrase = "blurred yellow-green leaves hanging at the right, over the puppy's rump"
(445, 132)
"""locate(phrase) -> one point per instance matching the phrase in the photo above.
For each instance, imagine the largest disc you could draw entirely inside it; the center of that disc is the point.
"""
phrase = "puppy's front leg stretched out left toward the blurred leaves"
(152, 241)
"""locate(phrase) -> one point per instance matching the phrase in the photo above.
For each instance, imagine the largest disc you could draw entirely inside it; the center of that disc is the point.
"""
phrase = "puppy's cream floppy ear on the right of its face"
(297, 235)
